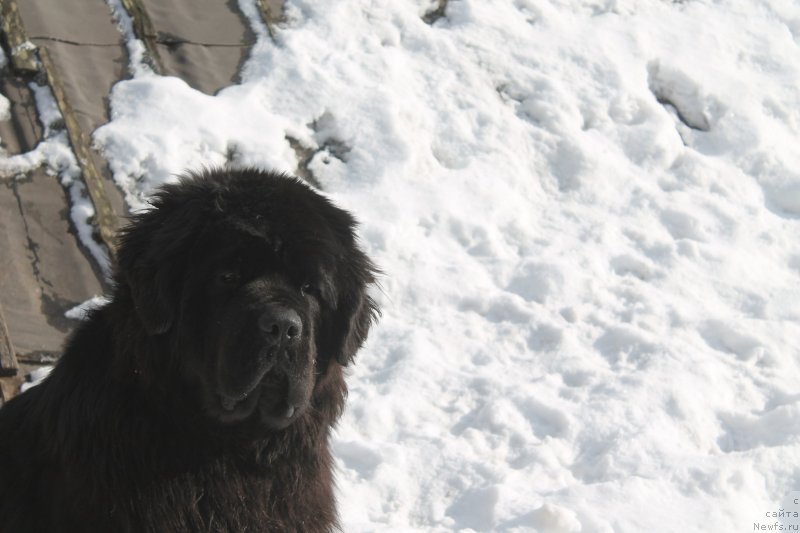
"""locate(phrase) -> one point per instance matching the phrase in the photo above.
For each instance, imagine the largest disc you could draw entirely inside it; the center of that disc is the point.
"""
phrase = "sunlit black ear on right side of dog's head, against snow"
(354, 313)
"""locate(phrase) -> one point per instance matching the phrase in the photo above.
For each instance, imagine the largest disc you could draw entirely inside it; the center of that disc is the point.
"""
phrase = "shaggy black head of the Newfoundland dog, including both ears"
(257, 285)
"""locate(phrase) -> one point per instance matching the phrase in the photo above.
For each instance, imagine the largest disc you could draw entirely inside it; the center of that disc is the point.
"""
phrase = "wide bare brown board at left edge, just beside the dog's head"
(43, 270)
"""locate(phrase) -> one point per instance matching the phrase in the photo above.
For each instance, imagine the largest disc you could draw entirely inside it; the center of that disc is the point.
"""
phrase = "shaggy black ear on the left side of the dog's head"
(152, 255)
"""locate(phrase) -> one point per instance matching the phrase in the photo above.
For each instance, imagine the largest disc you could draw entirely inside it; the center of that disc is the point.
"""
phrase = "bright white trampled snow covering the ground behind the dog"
(587, 213)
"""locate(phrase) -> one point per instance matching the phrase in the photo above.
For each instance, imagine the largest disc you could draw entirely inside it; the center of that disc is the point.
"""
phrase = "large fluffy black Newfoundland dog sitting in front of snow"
(201, 397)
